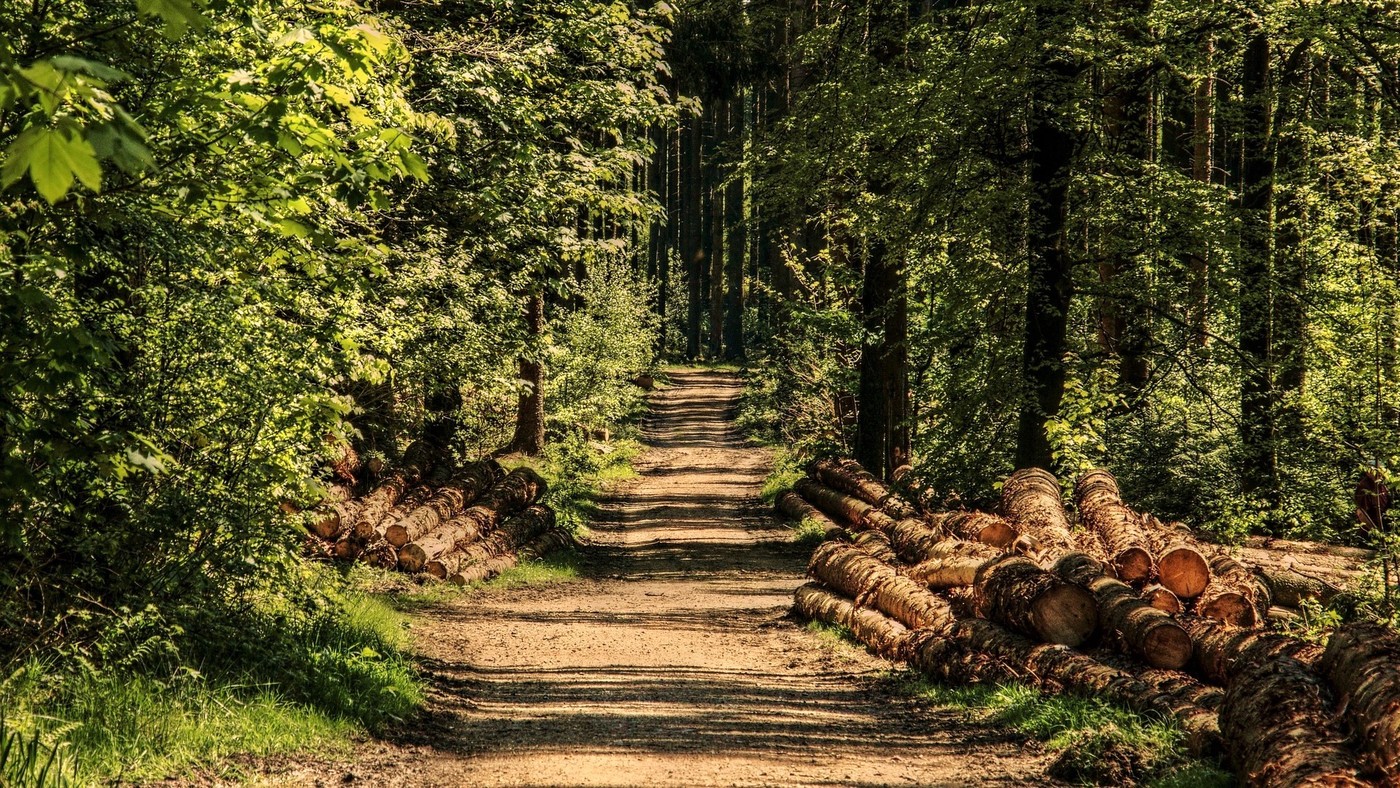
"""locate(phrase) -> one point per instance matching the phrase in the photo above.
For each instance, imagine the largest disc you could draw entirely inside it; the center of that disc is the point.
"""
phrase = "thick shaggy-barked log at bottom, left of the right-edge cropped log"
(1280, 733)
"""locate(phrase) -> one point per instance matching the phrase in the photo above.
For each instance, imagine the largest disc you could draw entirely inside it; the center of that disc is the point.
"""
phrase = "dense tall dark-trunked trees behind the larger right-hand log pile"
(1150, 234)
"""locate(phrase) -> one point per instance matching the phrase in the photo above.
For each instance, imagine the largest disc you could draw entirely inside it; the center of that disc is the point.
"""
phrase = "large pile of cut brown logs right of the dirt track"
(1122, 607)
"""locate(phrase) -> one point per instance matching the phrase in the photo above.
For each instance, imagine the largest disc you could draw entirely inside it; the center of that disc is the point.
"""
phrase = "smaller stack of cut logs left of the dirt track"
(464, 526)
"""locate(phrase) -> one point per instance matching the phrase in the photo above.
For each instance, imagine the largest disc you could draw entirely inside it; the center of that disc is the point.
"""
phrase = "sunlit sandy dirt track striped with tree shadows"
(671, 660)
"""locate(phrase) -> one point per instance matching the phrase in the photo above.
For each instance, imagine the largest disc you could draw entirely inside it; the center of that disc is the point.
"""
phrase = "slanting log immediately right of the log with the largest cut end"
(1147, 632)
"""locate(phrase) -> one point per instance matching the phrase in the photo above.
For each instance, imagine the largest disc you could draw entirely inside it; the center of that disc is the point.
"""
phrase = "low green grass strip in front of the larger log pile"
(1095, 743)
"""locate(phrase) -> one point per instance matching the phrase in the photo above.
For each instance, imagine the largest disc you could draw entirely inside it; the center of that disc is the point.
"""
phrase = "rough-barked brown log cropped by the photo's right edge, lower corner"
(1363, 666)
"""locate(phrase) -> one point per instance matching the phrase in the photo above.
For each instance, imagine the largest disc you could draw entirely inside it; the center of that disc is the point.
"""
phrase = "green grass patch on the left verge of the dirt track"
(260, 681)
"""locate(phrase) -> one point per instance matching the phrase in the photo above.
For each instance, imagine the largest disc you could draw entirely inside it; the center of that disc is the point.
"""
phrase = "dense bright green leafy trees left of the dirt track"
(240, 237)
